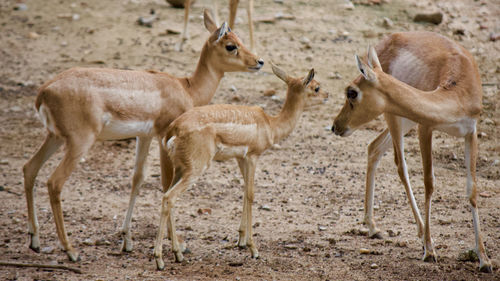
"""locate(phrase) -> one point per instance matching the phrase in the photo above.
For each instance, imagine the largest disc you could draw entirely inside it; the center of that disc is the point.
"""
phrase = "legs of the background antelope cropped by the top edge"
(233, 7)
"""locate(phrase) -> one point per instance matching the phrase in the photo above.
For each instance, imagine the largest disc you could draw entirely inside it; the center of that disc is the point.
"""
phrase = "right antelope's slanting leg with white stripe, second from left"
(397, 130)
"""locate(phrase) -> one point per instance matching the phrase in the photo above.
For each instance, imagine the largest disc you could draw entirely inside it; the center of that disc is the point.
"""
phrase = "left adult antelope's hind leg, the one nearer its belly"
(76, 147)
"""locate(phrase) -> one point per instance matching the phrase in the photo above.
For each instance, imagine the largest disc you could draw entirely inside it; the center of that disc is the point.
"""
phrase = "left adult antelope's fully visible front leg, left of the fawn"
(141, 154)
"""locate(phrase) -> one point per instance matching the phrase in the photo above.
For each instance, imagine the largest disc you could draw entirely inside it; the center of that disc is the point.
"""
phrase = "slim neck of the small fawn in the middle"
(284, 123)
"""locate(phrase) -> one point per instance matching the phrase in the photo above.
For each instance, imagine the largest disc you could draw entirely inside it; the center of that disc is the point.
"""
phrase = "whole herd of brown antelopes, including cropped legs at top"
(417, 79)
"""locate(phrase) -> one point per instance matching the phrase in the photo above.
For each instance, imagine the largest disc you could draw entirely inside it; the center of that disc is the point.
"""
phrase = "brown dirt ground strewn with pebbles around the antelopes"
(309, 191)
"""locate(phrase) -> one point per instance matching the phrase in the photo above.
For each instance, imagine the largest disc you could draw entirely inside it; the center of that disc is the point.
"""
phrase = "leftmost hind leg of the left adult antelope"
(30, 171)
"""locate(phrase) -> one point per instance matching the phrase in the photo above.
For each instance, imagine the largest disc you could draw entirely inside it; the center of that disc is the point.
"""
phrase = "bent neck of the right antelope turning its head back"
(428, 108)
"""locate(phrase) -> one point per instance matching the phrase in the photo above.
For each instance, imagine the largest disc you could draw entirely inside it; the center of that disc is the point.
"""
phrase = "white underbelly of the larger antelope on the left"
(115, 129)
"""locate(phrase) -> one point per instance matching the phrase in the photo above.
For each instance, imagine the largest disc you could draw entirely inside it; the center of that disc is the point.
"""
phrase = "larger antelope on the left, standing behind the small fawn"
(82, 105)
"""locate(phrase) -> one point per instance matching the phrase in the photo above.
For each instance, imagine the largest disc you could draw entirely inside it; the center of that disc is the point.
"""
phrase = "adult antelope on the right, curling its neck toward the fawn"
(431, 81)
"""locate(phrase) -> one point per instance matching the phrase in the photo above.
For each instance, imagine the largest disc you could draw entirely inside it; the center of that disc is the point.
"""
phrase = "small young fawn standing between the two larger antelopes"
(222, 132)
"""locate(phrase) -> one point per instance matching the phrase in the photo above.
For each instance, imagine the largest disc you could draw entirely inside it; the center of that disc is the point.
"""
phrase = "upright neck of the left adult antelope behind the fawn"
(202, 85)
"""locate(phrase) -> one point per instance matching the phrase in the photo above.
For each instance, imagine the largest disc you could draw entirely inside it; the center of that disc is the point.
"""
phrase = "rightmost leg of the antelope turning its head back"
(470, 164)
